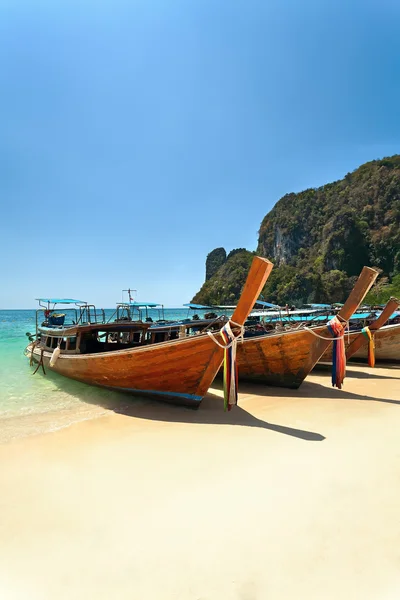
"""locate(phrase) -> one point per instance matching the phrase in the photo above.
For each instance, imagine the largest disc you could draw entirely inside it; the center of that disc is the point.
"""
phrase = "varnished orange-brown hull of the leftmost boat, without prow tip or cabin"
(179, 372)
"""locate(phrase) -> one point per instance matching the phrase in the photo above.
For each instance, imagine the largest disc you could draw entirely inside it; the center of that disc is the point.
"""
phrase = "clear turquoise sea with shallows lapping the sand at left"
(32, 404)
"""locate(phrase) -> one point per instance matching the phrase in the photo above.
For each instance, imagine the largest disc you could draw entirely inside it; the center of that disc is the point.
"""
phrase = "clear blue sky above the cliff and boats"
(137, 136)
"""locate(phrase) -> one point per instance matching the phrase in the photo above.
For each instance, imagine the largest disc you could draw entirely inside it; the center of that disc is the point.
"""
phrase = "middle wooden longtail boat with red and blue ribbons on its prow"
(285, 359)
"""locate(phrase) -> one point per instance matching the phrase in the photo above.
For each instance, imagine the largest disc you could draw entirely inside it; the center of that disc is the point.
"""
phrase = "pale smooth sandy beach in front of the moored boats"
(293, 495)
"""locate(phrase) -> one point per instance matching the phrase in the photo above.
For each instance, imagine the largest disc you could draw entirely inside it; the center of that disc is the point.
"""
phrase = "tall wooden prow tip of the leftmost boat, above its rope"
(256, 279)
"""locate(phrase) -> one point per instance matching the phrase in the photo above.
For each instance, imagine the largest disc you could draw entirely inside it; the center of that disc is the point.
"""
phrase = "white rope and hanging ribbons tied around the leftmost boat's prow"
(230, 363)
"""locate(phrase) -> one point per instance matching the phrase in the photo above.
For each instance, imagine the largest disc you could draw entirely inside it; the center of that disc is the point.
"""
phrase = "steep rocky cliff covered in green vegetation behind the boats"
(320, 239)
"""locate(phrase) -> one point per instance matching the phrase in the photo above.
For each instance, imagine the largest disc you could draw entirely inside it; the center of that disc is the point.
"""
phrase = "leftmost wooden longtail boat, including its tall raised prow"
(120, 356)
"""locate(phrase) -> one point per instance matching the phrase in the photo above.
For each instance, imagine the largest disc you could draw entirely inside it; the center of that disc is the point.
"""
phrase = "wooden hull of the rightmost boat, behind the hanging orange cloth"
(387, 345)
